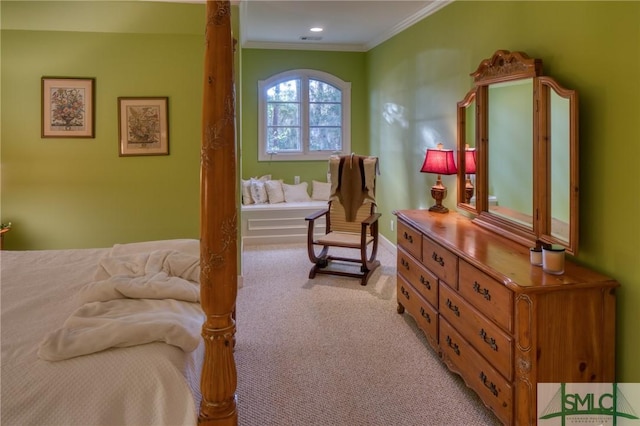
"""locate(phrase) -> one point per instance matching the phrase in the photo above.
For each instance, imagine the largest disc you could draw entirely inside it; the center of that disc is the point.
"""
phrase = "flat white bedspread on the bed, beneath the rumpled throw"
(149, 384)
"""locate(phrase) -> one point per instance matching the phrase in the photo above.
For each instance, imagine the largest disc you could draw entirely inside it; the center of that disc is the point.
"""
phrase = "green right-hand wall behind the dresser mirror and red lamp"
(588, 46)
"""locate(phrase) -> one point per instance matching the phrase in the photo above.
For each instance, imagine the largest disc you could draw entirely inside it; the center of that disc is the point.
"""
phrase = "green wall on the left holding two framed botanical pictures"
(63, 193)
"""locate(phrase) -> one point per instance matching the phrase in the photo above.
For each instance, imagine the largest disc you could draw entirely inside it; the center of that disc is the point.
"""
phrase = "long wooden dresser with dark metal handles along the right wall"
(501, 323)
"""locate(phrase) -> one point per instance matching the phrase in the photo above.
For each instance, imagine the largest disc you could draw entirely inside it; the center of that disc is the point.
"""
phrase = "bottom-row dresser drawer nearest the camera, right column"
(479, 375)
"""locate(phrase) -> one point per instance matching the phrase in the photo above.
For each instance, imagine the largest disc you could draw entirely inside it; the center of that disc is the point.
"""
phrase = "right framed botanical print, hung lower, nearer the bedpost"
(143, 126)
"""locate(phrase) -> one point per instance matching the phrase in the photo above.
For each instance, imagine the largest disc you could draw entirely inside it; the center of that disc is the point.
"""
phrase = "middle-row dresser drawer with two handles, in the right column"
(484, 335)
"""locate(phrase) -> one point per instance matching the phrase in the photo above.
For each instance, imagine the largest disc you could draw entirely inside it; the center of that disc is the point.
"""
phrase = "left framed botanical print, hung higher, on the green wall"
(68, 107)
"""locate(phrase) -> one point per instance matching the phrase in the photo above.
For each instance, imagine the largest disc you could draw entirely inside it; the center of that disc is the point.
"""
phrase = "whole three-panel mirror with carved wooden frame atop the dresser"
(522, 128)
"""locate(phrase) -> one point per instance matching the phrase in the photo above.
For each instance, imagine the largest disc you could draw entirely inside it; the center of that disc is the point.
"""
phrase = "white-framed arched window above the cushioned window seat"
(304, 115)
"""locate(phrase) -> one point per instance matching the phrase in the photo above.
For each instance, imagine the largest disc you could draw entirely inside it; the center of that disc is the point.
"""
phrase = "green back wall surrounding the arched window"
(260, 64)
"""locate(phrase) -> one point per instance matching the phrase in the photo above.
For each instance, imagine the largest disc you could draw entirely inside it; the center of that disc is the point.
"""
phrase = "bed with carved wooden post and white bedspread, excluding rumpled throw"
(153, 383)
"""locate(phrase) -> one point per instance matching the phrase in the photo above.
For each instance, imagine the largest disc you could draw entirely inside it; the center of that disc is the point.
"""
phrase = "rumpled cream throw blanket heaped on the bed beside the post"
(136, 299)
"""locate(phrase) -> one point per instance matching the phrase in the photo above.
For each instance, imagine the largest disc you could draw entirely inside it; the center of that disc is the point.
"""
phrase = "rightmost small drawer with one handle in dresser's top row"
(491, 297)
